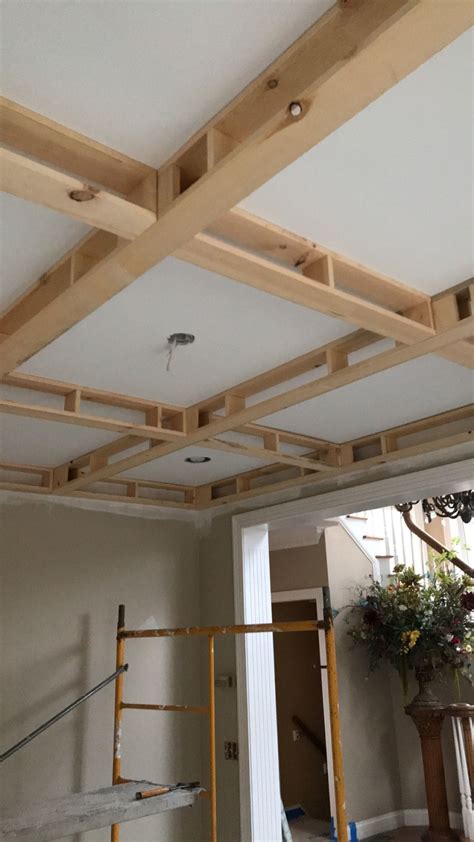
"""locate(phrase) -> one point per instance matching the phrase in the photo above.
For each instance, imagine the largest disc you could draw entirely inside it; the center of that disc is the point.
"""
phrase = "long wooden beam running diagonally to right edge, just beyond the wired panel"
(342, 377)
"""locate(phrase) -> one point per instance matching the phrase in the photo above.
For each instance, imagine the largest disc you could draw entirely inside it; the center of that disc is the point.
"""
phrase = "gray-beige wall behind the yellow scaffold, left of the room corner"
(64, 571)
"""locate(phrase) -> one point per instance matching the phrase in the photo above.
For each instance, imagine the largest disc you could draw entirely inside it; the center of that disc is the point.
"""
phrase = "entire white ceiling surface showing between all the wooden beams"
(390, 189)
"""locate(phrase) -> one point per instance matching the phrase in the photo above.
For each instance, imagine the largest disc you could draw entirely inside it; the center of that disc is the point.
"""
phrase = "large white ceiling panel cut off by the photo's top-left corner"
(142, 76)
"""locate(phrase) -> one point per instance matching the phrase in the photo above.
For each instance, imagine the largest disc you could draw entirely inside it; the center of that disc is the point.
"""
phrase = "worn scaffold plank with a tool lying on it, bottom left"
(59, 817)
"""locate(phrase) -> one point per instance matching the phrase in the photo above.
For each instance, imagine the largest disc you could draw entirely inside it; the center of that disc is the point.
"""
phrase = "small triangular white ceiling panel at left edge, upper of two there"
(32, 238)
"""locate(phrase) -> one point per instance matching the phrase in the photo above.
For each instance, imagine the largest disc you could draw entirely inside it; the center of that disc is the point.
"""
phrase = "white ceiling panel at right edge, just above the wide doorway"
(414, 390)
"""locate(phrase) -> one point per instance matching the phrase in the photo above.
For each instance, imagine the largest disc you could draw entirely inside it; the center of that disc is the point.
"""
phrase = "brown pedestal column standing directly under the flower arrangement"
(428, 717)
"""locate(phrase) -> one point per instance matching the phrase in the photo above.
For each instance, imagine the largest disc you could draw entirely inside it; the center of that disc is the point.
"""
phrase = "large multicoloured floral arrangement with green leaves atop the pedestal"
(421, 623)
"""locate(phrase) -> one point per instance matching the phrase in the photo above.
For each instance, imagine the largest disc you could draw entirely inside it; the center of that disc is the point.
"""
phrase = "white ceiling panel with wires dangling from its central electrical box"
(239, 332)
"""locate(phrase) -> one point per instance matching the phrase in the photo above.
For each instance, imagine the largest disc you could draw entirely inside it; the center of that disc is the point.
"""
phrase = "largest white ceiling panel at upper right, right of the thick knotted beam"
(392, 188)
